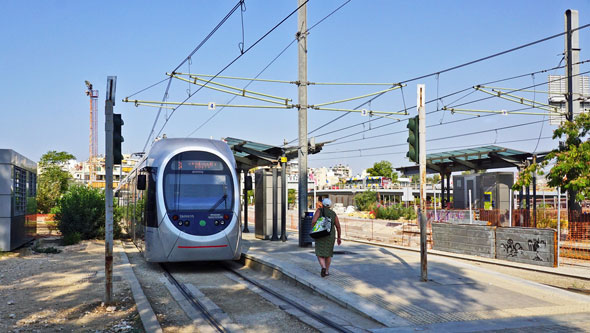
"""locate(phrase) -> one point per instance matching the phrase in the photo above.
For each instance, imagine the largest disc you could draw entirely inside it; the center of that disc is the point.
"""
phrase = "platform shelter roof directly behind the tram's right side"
(250, 154)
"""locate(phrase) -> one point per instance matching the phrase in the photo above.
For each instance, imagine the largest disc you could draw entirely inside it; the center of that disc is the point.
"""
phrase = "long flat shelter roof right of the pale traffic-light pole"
(478, 158)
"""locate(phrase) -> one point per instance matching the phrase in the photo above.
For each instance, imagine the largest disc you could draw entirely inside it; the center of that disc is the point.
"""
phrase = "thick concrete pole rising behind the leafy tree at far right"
(572, 72)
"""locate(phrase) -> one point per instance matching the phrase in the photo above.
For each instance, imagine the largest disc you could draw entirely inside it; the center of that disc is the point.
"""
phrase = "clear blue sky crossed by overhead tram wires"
(50, 47)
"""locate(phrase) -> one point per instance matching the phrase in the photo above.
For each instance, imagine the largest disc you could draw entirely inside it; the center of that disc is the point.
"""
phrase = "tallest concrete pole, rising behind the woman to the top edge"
(302, 152)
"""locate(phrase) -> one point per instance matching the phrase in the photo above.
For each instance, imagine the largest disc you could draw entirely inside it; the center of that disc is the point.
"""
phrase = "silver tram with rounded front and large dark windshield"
(181, 202)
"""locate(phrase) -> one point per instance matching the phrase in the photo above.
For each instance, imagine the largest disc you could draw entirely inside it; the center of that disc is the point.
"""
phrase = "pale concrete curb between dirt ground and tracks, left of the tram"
(144, 308)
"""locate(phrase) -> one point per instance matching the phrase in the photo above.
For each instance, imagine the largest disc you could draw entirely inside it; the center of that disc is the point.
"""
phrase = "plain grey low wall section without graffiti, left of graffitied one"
(464, 239)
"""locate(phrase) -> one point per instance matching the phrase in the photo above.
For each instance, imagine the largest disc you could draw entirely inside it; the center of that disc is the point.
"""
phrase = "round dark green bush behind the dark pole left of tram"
(81, 210)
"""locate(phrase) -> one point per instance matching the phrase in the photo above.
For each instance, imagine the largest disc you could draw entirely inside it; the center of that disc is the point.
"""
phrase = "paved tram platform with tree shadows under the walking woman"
(384, 284)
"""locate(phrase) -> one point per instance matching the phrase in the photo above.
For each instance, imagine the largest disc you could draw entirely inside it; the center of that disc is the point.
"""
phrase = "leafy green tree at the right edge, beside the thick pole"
(571, 169)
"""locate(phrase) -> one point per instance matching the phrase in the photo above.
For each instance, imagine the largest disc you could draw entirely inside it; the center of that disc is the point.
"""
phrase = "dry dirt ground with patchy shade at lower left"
(42, 292)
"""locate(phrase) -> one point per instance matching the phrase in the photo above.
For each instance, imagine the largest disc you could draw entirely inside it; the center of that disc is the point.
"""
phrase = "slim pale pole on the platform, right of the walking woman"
(421, 100)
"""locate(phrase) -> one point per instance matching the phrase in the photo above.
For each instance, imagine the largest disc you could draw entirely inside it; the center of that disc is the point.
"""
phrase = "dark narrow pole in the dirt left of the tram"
(108, 238)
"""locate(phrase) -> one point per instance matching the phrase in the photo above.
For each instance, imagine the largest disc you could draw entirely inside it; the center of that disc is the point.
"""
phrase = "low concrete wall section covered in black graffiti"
(527, 245)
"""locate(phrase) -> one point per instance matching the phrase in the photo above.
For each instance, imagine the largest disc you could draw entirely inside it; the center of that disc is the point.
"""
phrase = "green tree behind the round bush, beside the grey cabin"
(53, 181)
